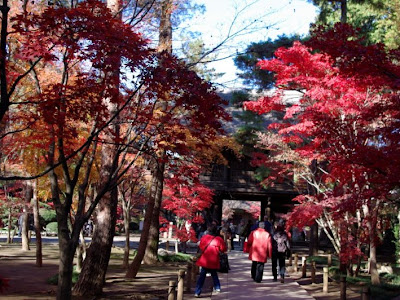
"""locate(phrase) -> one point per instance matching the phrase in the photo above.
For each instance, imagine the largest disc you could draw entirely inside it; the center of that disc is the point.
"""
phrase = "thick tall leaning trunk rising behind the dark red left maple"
(92, 278)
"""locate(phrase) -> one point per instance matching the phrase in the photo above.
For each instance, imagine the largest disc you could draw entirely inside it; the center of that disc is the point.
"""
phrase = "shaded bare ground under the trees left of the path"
(27, 281)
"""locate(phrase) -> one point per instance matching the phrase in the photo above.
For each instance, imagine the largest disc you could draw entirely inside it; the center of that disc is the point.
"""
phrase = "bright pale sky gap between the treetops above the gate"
(274, 18)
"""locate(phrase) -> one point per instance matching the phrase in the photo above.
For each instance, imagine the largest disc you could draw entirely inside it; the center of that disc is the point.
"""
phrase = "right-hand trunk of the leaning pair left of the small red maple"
(151, 254)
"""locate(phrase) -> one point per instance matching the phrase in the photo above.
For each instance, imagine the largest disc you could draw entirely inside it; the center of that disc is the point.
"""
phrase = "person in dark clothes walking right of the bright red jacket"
(280, 250)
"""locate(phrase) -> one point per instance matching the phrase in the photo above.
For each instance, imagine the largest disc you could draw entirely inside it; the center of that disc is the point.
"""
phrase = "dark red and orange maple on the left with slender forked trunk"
(81, 81)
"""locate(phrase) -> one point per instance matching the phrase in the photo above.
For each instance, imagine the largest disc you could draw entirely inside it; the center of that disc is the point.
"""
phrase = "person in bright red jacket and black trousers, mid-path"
(260, 249)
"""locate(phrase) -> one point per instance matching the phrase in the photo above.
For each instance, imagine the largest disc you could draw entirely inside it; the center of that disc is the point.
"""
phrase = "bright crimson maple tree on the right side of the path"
(340, 138)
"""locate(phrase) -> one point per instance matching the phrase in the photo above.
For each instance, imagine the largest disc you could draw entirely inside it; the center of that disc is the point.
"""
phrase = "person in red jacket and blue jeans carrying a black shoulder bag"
(211, 244)
